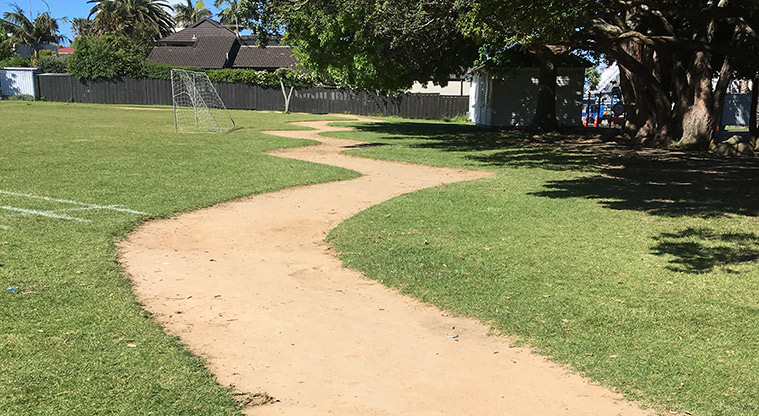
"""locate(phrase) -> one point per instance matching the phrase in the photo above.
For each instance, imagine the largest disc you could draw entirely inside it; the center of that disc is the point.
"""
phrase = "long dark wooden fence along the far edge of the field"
(319, 100)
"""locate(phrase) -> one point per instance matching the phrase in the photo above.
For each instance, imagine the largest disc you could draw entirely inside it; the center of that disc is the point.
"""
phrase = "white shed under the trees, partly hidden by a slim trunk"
(509, 100)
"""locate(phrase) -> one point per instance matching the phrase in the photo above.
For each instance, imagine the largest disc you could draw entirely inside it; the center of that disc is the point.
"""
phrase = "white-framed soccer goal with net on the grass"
(197, 106)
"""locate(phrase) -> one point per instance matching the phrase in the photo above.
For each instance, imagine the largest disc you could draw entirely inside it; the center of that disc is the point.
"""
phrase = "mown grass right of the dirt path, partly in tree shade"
(638, 270)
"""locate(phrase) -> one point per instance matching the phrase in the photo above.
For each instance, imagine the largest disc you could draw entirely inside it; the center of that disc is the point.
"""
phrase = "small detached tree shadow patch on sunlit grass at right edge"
(700, 250)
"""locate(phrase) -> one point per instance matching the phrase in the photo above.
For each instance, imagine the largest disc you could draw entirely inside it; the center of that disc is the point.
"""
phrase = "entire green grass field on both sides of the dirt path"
(640, 272)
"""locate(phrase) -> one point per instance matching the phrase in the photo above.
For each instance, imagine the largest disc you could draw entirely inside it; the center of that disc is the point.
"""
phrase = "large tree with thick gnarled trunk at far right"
(677, 59)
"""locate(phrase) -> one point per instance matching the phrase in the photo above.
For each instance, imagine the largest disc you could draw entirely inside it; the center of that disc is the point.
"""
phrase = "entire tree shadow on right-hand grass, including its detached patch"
(658, 182)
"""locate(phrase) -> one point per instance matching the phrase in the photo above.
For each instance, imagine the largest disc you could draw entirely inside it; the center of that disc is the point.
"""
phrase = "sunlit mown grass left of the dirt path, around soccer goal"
(73, 339)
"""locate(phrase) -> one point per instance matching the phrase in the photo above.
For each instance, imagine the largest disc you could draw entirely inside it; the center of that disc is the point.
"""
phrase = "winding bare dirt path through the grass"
(251, 286)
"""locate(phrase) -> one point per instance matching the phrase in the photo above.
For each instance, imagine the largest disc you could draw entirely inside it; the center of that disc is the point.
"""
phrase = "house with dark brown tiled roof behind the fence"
(208, 44)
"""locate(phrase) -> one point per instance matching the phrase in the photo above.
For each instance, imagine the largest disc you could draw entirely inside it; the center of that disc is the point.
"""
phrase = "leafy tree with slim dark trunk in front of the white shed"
(388, 45)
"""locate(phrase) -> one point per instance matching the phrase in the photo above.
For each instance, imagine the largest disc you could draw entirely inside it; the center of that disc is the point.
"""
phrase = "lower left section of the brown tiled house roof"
(208, 52)
